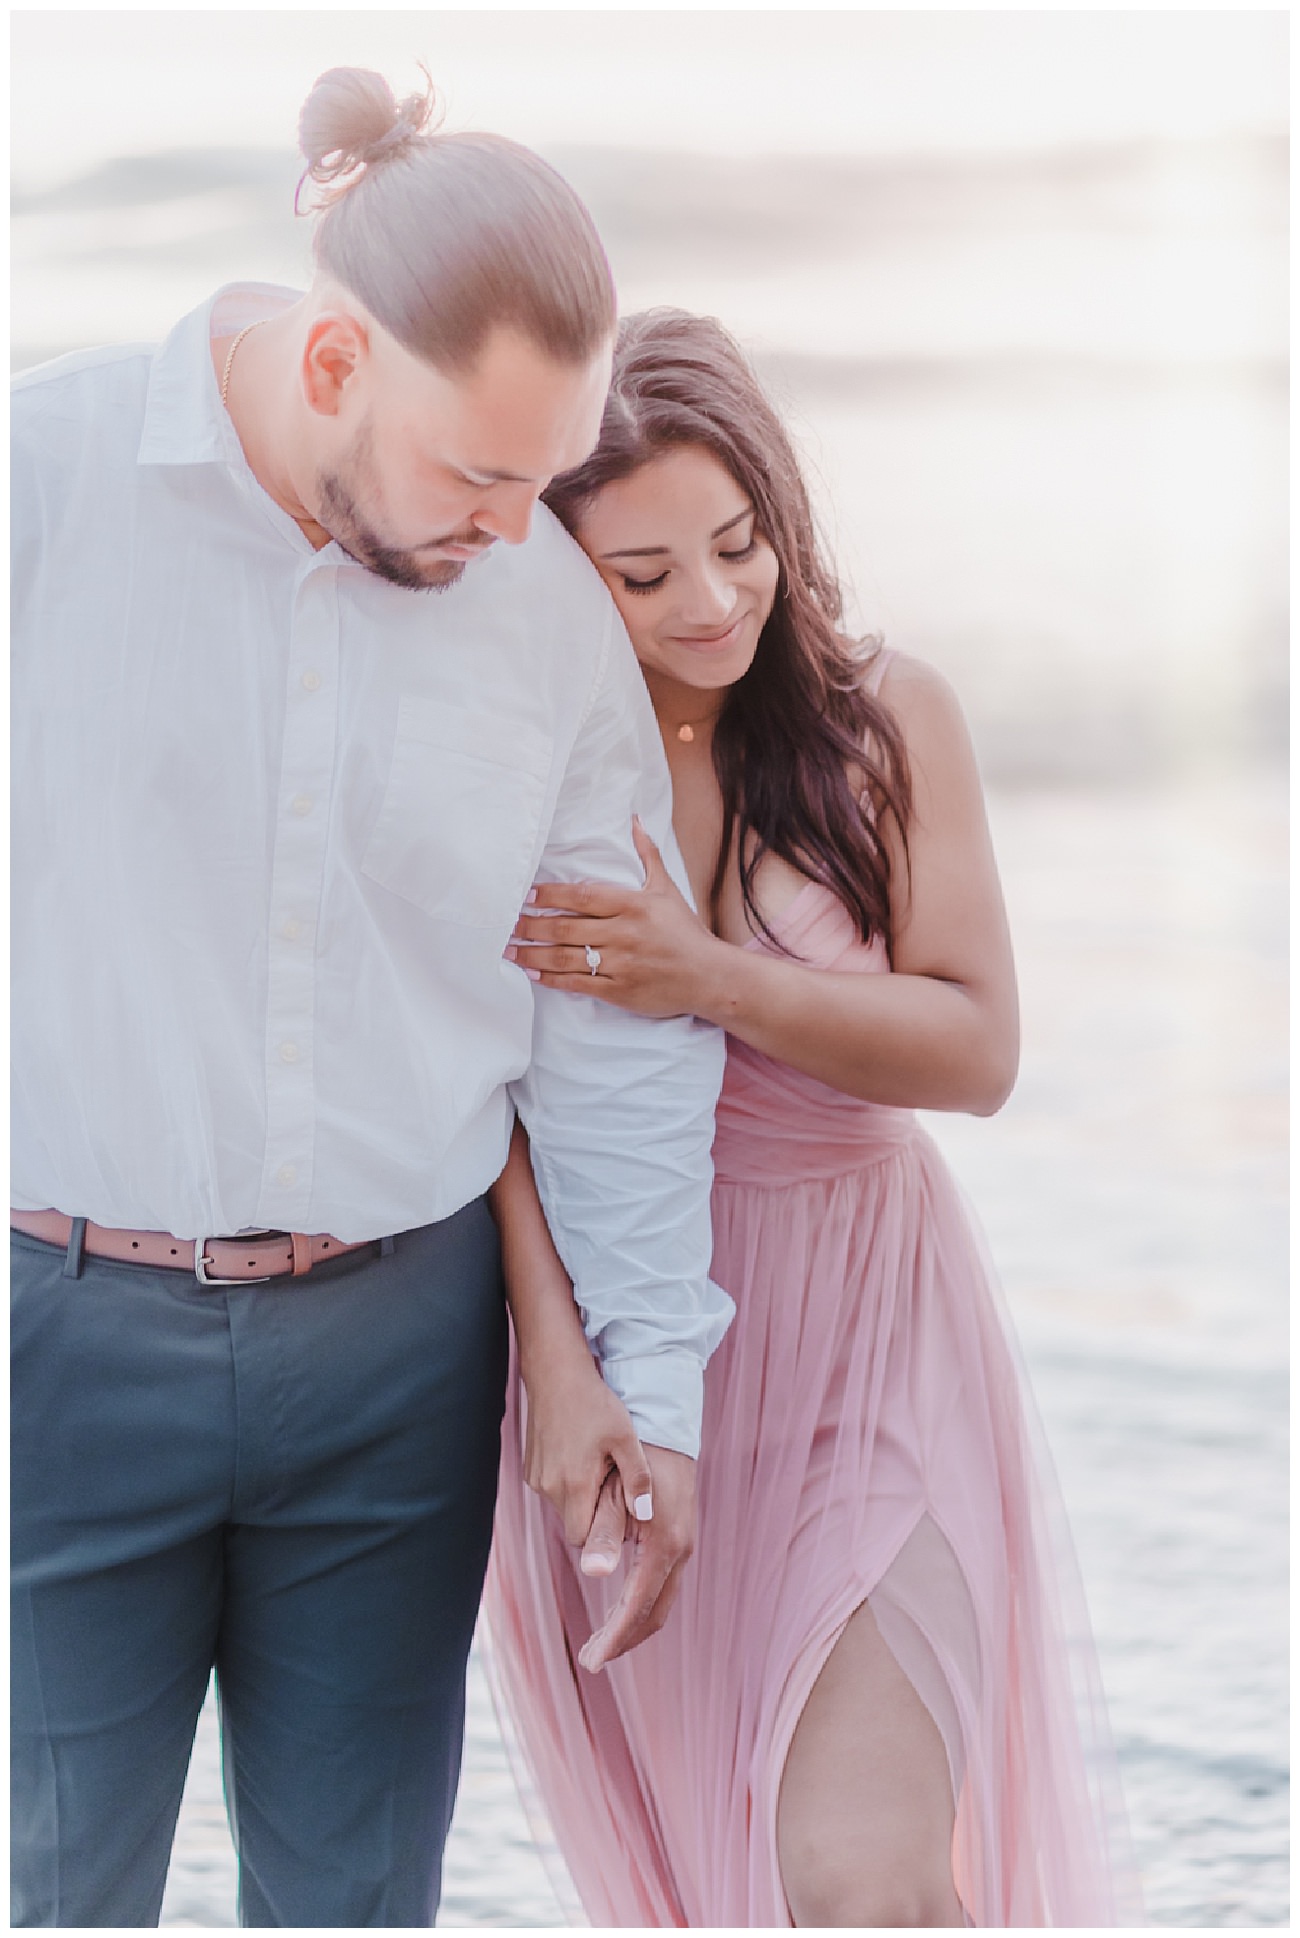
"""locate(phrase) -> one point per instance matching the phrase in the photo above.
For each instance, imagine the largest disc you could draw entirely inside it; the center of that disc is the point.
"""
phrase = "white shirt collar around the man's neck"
(185, 418)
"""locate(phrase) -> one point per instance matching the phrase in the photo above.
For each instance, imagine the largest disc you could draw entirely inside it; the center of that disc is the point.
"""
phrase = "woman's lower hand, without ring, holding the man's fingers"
(578, 1437)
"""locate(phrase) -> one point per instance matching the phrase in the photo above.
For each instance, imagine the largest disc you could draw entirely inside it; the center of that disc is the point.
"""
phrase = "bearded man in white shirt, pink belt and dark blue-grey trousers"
(305, 699)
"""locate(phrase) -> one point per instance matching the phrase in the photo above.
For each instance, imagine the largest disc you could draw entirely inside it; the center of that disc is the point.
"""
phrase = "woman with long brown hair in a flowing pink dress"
(861, 1706)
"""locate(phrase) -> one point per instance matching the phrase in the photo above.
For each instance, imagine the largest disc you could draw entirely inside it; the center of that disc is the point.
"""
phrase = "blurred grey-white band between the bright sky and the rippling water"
(1041, 400)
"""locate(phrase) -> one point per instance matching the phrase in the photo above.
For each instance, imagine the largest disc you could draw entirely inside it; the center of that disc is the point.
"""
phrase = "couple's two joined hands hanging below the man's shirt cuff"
(582, 1454)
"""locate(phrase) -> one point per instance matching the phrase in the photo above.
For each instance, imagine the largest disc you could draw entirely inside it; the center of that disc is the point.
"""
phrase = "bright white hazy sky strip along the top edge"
(88, 84)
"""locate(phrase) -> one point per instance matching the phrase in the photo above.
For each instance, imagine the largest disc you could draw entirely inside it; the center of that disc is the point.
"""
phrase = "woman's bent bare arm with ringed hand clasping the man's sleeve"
(941, 1032)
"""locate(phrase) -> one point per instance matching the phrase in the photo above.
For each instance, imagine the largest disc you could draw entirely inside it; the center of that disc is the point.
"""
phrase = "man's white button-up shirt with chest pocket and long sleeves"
(274, 821)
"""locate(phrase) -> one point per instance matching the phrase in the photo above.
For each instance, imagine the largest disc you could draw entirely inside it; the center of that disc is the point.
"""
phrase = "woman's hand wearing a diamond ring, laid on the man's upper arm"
(654, 951)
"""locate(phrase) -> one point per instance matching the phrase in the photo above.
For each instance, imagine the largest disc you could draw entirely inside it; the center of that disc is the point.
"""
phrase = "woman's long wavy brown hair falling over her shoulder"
(799, 724)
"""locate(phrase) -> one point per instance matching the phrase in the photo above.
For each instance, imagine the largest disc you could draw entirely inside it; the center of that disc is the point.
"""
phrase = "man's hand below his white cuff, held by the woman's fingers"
(664, 1547)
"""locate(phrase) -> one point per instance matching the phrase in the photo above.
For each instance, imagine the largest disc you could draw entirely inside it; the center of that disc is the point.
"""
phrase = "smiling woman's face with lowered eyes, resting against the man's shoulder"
(691, 575)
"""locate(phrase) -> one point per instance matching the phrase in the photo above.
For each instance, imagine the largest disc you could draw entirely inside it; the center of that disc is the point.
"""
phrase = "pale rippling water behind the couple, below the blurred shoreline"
(1134, 1197)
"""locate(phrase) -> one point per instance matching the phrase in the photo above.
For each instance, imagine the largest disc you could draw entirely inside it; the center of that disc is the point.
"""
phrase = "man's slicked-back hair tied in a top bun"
(447, 235)
